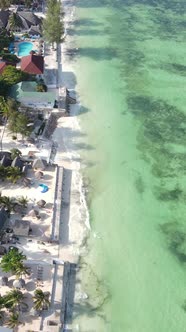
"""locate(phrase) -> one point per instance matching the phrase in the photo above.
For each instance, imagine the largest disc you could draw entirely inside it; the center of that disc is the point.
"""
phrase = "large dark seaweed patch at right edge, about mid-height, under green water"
(162, 124)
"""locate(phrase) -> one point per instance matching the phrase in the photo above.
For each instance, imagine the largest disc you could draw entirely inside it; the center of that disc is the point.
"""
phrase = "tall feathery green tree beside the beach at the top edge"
(53, 26)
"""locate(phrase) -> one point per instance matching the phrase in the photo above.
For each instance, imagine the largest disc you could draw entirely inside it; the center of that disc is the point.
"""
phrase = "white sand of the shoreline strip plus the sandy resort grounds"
(75, 219)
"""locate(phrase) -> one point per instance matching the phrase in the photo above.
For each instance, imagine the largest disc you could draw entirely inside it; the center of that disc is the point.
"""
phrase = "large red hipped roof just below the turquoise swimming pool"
(32, 64)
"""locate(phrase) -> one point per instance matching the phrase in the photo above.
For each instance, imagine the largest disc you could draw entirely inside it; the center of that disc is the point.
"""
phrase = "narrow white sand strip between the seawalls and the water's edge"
(67, 156)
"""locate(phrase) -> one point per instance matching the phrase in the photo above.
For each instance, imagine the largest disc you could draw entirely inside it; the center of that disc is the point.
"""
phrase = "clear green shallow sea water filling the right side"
(131, 73)
